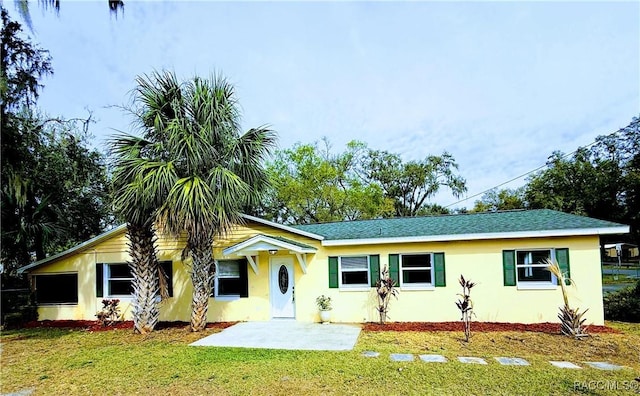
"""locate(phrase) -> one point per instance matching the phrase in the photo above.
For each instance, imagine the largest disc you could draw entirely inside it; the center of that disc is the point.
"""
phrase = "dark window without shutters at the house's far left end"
(56, 288)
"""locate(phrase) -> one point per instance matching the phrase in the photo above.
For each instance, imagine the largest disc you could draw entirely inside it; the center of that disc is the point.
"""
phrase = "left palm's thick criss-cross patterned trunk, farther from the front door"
(144, 269)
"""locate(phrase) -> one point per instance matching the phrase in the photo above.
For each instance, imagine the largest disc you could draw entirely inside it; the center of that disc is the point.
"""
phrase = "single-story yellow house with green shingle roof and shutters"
(267, 270)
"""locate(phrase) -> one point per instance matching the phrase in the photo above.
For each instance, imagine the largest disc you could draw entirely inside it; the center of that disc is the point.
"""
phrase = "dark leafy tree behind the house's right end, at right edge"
(602, 181)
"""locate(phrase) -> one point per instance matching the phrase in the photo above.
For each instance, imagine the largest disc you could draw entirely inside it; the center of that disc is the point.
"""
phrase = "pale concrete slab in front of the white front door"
(285, 334)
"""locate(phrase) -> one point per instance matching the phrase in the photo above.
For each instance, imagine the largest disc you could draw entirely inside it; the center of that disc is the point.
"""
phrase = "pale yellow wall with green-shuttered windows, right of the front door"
(481, 262)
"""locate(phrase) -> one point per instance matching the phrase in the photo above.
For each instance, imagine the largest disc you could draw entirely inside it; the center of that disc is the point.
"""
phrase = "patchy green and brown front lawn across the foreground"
(60, 361)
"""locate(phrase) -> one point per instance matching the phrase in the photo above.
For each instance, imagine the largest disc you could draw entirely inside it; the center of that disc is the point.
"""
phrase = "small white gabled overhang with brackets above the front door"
(251, 248)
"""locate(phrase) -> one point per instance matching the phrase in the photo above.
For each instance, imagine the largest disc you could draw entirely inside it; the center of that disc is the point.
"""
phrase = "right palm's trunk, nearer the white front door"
(201, 277)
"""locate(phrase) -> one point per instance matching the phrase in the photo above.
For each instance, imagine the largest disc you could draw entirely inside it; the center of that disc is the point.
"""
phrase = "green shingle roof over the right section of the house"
(474, 223)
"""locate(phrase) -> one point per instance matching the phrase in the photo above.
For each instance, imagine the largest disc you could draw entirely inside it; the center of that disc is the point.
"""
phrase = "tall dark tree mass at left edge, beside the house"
(53, 185)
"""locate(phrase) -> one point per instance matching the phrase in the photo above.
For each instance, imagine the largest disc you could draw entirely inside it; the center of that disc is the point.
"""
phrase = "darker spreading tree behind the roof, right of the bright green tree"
(411, 184)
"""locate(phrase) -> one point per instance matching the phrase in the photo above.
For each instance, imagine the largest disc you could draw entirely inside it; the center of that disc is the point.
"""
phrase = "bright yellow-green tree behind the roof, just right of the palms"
(311, 184)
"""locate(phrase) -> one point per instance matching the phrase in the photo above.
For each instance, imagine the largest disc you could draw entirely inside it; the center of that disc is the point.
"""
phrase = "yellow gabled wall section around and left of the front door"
(177, 308)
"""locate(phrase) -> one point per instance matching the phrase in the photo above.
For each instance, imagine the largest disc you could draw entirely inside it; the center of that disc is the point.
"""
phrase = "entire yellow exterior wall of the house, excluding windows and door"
(480, 261)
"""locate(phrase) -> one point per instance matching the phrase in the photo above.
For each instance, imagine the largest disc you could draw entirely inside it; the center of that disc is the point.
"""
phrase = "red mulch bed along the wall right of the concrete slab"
(551, 328)
